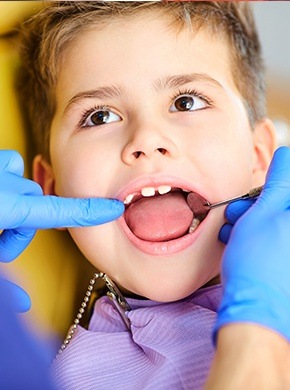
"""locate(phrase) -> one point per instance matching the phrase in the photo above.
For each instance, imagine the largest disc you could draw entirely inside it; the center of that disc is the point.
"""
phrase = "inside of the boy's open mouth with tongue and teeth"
(164, 213)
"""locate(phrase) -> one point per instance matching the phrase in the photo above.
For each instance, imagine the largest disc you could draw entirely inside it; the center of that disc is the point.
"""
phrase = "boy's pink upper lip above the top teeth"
(136, 185)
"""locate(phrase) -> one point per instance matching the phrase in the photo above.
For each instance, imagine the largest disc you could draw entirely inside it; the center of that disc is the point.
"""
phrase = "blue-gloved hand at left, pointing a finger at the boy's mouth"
(24, 209)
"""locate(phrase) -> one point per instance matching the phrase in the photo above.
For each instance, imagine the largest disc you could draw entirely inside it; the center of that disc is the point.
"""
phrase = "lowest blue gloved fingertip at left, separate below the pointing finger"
(20, 299)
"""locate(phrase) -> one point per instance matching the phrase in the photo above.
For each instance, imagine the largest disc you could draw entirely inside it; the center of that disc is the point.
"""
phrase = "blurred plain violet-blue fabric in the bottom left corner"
(24, 361)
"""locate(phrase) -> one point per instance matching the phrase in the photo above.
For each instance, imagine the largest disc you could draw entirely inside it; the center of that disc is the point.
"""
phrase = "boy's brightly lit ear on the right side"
(264, 145)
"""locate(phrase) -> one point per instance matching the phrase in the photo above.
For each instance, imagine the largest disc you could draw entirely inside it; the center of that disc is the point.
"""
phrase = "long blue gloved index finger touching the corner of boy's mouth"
(46, 212)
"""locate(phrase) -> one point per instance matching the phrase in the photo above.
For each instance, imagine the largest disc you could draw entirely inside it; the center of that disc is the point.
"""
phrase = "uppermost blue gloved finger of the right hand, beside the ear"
(276, 192)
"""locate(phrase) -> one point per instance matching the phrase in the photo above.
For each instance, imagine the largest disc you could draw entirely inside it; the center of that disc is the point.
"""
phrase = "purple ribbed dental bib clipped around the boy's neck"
(169, 346)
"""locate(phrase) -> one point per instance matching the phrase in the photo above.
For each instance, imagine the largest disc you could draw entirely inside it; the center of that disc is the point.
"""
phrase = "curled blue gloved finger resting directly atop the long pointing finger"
(18, 185)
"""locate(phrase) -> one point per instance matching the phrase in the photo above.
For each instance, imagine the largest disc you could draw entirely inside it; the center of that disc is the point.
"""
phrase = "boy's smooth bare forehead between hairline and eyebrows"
(141, 49)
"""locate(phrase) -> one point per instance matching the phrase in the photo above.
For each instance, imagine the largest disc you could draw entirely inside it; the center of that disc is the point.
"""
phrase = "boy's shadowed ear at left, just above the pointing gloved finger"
(43, 174)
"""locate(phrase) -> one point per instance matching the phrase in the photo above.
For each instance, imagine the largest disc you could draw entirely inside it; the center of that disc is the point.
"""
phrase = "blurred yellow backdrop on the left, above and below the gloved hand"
(51, 269)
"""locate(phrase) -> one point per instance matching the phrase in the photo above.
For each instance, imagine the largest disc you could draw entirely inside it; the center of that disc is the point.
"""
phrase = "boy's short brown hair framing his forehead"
(45, 36)
